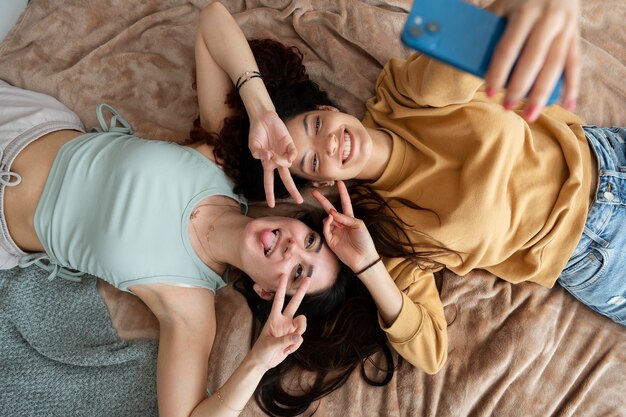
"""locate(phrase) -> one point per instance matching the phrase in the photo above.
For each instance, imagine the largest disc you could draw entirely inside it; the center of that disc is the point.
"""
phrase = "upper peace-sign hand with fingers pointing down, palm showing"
(269, 141)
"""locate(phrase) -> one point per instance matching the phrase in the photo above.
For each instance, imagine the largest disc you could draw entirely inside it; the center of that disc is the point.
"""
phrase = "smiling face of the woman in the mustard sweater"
(331, 145)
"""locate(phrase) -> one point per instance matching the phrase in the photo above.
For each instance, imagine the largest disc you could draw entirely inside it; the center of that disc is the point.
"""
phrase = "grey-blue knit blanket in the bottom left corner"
(60, 356)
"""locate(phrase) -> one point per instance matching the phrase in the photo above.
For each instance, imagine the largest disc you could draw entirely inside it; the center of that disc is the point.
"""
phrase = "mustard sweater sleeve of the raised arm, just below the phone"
(426, 82)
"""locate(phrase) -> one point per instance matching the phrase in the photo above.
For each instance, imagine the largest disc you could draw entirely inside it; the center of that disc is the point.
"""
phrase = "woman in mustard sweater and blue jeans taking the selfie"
(447, 172)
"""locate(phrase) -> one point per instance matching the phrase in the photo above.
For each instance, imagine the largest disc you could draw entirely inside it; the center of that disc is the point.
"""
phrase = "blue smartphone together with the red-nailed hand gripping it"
(467, 37)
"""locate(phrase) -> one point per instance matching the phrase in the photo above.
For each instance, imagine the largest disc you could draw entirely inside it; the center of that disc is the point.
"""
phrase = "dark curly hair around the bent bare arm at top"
(292, 93)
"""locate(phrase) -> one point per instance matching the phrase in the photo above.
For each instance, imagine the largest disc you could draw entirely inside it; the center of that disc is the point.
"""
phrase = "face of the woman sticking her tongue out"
(279, 245)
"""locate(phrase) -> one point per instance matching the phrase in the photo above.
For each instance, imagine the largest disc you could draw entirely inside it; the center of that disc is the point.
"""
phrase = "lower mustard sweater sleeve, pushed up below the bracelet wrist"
(419, 334)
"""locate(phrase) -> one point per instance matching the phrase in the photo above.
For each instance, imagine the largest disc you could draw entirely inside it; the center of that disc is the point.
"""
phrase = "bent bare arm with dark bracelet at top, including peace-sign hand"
(223, 58)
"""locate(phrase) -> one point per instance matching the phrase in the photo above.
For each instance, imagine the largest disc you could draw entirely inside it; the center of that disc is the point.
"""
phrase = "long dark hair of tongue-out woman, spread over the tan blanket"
(342, 334)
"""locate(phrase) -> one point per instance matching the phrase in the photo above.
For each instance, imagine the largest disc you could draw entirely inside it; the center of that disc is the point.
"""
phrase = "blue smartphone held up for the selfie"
(457, 33)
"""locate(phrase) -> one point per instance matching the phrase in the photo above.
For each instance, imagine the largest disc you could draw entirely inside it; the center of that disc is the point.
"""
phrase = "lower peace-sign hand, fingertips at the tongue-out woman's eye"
(282, 333)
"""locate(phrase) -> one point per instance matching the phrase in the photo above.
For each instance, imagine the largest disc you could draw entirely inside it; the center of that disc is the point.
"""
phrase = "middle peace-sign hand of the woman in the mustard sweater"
(347, 236)
